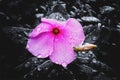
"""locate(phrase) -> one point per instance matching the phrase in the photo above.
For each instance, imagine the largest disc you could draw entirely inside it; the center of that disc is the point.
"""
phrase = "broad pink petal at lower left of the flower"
(41, 46)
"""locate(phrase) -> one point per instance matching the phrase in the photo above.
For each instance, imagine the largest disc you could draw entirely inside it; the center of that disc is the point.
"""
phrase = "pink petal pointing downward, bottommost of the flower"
(63, 53)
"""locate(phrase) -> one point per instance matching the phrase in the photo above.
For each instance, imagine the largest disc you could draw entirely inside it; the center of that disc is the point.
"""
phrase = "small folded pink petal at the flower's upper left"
(42, 27)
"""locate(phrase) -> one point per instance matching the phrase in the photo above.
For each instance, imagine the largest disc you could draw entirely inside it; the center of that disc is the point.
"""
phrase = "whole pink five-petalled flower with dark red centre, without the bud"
(56, 39)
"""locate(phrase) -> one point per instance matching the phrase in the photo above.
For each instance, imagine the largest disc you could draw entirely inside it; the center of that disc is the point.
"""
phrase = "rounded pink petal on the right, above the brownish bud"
(74, 32)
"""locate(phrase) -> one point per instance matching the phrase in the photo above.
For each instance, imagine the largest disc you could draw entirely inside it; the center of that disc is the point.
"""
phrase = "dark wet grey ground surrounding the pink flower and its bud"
(101, 23)
